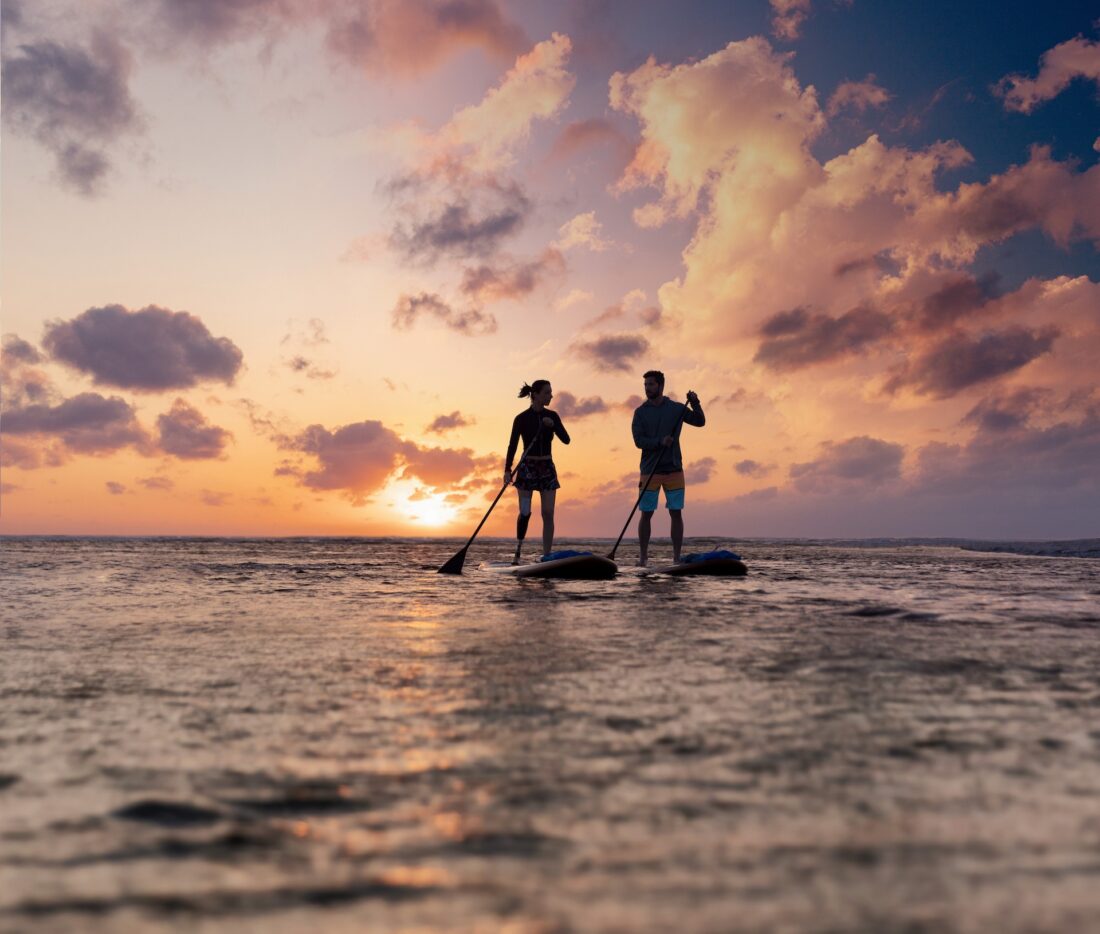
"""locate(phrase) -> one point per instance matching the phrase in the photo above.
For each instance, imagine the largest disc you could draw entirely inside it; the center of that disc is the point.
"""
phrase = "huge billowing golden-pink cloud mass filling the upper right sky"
(883, 249)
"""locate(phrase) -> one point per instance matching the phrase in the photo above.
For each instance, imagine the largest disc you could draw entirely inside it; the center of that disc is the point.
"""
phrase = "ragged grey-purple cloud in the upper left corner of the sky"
(74, 102)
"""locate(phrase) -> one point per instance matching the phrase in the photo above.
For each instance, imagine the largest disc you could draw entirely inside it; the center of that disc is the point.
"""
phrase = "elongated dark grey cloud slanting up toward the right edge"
(960, 361)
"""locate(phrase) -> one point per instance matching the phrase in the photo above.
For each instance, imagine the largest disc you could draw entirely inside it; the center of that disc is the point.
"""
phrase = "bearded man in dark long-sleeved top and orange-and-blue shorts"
(656, 430)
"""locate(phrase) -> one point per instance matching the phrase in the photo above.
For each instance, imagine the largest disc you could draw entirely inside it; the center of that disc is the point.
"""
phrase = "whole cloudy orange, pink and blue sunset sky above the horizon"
(281, 267)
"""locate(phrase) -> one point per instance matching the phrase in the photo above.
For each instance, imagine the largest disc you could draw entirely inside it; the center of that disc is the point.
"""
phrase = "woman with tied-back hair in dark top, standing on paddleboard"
(537, 427)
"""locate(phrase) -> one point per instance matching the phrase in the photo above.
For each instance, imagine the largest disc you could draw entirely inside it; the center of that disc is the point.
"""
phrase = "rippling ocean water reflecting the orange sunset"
(327, 737)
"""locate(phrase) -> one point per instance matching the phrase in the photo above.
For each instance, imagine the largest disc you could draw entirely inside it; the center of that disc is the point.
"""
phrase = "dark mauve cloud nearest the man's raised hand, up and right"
(798, 338)
